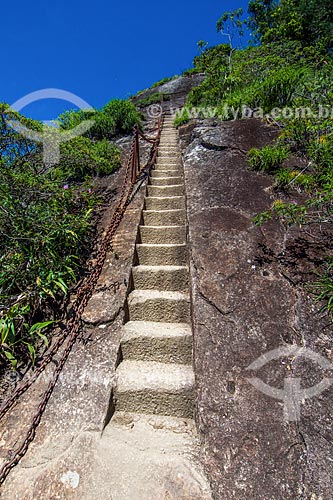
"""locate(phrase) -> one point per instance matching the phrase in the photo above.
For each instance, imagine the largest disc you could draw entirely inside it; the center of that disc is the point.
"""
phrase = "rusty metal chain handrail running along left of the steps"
(83, 296)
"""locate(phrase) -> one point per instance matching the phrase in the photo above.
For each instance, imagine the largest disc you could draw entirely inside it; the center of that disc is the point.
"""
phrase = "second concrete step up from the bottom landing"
(162, 342)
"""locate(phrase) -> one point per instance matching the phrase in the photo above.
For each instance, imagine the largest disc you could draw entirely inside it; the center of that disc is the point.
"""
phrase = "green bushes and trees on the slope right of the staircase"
(286, 78)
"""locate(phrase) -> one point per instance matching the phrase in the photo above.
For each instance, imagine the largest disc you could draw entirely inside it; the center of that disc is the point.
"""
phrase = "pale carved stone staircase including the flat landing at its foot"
(148, 449)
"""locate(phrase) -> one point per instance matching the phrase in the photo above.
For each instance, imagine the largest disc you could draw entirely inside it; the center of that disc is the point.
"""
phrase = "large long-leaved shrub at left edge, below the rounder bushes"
(44, 227)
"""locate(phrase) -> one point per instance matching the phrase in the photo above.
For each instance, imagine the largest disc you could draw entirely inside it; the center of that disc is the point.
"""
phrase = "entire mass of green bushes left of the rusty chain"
(46, 223)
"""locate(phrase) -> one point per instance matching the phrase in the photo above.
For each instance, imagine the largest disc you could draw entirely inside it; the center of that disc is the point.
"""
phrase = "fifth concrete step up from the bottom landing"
(161, 255)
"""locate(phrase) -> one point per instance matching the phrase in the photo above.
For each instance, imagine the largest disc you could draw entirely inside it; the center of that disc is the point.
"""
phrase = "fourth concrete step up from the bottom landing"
(152, 277)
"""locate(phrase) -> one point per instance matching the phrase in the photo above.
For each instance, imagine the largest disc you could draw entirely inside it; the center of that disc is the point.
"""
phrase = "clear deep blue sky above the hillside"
(99, 49)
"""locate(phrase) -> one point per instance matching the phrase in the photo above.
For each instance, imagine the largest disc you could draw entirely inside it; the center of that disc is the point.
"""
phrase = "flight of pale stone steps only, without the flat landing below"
(155, 375)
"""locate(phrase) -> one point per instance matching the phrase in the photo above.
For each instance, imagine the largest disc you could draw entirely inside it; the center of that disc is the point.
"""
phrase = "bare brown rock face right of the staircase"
(246, 302)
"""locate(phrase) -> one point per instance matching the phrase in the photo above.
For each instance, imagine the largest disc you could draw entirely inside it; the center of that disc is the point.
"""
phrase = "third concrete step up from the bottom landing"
(155, 305)
